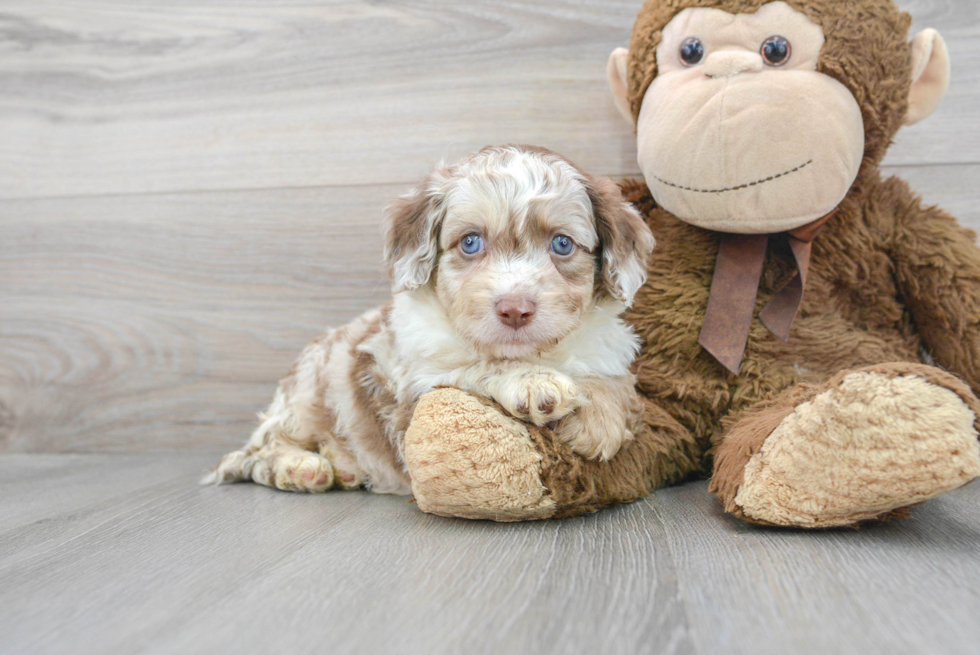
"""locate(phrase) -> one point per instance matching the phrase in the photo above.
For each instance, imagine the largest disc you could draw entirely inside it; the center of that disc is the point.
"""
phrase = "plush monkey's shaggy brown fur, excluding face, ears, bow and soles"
(889, 281)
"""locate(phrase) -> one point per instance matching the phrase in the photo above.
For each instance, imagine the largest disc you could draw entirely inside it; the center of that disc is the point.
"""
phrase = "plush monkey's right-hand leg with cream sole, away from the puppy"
(867, 445)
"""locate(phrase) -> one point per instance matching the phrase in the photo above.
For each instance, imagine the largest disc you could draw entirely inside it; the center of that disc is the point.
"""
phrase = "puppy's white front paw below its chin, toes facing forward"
(541, 397)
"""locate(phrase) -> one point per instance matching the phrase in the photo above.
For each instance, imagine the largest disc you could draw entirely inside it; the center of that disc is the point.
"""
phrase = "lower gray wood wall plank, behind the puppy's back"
(131, 323)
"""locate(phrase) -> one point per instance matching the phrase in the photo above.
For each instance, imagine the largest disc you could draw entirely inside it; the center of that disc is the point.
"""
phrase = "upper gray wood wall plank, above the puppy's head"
(99, 97)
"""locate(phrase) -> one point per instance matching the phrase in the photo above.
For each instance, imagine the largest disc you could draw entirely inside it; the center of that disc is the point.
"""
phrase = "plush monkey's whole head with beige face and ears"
(758, 117)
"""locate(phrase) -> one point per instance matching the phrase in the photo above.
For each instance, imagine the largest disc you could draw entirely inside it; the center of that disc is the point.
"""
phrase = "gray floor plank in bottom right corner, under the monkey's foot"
(905, 587)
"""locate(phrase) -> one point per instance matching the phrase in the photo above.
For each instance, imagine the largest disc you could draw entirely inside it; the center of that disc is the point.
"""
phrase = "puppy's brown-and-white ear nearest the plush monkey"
(624, 238)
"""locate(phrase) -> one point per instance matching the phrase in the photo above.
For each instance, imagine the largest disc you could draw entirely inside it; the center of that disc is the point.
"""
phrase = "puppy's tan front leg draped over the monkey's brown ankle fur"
(608, 419)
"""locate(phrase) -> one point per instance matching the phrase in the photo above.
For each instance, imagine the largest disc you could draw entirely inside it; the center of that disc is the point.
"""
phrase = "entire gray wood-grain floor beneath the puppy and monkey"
(124, 554)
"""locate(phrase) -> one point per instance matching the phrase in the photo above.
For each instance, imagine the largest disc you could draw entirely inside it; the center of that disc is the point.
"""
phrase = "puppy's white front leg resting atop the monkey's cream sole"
(533, 393)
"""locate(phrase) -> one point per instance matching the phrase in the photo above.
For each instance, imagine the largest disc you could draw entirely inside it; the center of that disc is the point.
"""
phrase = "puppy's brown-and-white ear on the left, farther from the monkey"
(411, 231)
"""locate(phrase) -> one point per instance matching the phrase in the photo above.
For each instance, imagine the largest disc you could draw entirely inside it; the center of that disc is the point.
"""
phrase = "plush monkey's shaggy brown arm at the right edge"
(937, 267)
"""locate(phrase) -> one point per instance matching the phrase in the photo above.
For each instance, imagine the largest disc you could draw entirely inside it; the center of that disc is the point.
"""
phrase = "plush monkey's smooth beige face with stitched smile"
(739, 132)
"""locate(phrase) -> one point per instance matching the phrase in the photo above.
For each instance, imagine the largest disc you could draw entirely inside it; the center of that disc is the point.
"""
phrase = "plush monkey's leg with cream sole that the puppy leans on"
(468, 459)
